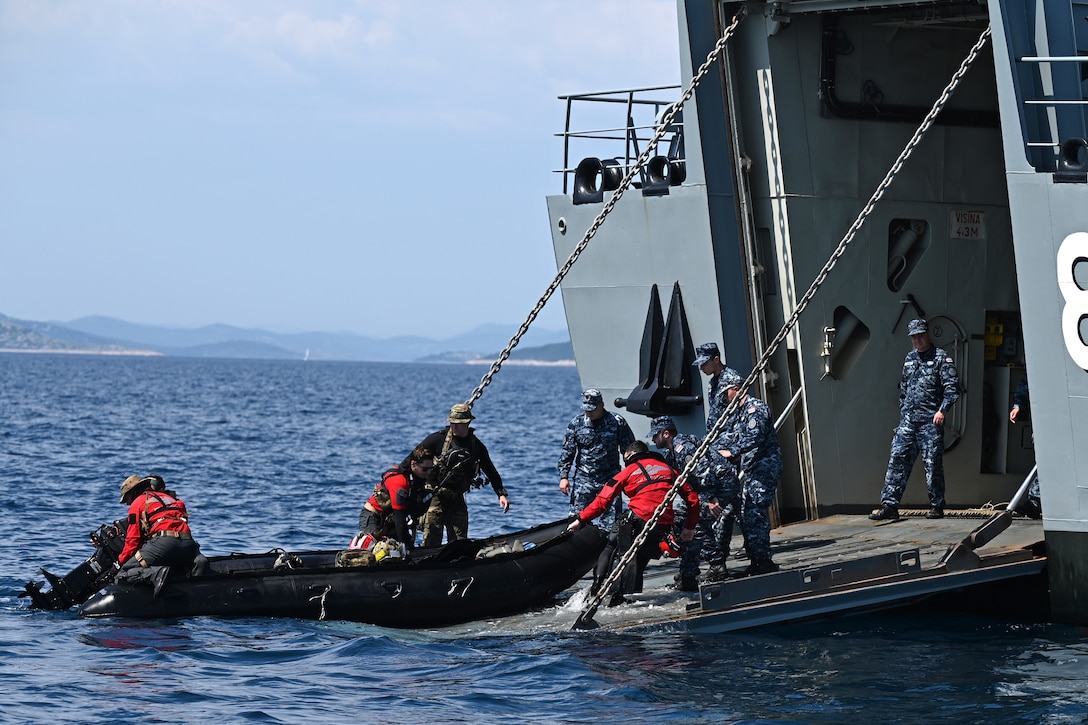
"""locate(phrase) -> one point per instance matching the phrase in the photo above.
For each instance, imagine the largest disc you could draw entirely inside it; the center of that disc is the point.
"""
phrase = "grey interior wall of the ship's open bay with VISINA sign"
(812, 95)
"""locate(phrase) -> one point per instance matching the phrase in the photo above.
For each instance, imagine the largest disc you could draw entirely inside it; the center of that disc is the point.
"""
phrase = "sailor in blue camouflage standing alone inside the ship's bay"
(930, 386)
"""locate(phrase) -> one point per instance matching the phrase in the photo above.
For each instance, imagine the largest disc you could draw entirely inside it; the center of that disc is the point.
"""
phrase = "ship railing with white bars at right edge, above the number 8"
(1059, 112)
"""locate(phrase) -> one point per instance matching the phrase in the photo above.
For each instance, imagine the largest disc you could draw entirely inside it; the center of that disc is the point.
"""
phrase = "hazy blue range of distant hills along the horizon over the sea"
(105, 336)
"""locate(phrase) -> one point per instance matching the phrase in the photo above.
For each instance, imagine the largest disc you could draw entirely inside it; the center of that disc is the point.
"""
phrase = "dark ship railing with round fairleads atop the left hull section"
(607, 150)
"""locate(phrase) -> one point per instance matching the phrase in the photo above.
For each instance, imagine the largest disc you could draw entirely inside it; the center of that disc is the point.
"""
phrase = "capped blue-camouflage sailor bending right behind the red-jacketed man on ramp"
(711, 543)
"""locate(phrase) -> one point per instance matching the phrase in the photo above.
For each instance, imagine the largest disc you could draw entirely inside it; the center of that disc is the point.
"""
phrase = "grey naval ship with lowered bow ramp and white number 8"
(802, 162)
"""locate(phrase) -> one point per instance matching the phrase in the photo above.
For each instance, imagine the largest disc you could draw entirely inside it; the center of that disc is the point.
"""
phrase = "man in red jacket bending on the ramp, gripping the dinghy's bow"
(645, 482)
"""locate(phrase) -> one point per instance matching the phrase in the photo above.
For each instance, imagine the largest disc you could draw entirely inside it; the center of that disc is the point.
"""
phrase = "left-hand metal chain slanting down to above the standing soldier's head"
(663, 128)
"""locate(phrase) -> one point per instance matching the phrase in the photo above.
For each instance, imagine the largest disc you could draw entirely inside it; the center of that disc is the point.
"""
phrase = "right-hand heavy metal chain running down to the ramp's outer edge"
(586, 618)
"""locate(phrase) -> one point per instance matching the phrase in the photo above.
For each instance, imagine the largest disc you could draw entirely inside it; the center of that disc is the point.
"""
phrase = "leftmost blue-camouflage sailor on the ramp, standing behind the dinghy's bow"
(592, 447)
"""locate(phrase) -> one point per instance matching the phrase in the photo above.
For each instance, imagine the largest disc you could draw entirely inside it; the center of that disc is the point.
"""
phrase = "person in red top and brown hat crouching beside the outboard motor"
(158, 536)
